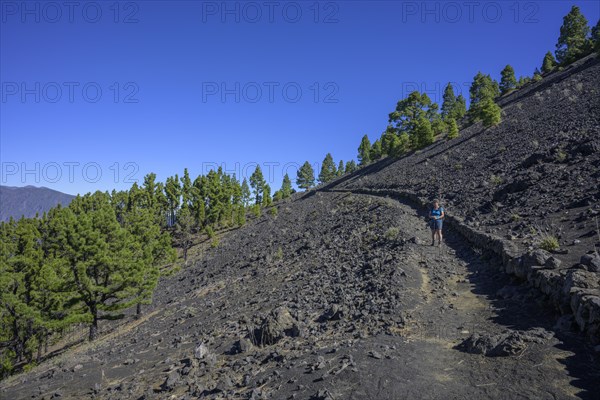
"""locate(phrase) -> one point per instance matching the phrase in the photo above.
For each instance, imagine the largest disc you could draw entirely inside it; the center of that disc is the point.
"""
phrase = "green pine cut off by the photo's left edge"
(30, 298)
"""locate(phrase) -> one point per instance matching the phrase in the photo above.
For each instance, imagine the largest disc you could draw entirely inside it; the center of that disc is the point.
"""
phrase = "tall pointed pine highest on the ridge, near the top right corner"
(573, 42)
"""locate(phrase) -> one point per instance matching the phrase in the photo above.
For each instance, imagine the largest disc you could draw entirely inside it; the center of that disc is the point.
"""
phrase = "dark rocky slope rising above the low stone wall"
(538, 169)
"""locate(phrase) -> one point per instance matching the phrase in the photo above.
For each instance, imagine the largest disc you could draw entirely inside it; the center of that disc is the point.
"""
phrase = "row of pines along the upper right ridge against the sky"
(417, 120)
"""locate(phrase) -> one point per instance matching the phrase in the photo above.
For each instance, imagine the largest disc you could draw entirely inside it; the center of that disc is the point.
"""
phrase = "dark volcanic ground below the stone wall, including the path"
(339, 296)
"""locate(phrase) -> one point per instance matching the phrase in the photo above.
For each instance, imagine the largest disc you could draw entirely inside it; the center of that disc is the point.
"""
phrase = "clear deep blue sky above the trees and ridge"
(179, 80)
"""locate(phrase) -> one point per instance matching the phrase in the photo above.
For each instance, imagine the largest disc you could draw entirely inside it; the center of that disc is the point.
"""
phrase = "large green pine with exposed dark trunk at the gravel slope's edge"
(104, 259)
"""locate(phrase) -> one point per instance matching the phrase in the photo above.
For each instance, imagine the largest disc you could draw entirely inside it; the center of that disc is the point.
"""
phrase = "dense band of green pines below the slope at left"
(103, 253)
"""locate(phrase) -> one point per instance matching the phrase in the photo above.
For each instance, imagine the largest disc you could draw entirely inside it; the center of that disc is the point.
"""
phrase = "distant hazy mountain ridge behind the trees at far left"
(29, 200)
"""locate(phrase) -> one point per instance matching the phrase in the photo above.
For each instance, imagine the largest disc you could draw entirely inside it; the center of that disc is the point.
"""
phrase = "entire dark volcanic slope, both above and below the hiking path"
(340, 296)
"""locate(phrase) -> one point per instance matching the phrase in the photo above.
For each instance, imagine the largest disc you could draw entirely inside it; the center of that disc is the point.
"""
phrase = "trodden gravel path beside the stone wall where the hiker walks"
(462, 293)
